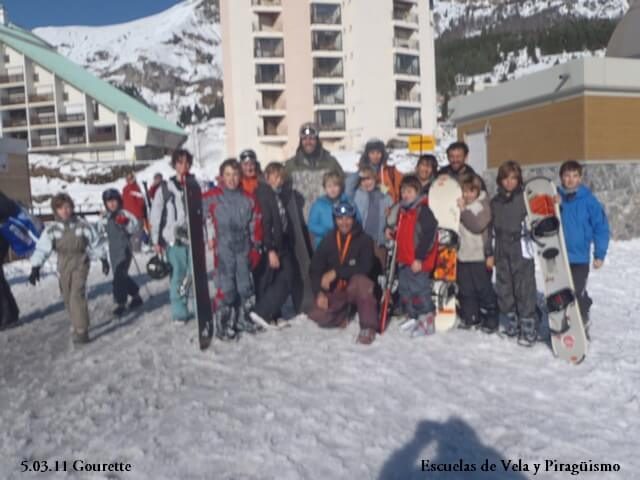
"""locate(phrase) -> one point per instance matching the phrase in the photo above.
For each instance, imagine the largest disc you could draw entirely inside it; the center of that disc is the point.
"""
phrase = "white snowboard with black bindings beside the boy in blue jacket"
(568, 336)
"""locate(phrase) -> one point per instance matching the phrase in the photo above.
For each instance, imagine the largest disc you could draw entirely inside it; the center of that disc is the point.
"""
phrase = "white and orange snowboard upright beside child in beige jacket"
(443, 197)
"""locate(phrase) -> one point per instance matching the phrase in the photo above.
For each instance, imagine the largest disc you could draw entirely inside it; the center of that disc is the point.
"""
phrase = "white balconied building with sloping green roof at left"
(59, 108)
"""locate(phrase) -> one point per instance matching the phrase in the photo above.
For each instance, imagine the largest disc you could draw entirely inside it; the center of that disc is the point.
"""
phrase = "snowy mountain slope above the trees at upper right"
(469, 17)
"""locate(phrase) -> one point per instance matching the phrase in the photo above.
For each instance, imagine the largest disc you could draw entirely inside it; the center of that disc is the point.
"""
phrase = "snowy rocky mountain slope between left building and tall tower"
(172, 57)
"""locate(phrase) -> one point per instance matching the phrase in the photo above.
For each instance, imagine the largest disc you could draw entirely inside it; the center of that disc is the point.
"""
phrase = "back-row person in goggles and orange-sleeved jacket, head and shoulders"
(388, 176)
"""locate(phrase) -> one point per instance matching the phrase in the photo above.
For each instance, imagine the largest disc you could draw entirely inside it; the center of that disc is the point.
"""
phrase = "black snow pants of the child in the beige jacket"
(475, 292)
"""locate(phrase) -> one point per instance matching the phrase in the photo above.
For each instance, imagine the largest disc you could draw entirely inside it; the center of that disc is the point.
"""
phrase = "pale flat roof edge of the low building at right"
(585, 75)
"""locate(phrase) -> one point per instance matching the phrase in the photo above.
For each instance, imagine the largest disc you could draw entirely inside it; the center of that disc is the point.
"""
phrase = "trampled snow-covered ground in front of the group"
(306, 403)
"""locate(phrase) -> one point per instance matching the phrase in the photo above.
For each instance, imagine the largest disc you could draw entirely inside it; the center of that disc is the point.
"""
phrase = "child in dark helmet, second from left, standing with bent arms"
(118, 226)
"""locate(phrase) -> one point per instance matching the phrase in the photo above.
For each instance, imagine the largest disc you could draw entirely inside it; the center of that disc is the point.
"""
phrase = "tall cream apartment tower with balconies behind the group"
(358, 68)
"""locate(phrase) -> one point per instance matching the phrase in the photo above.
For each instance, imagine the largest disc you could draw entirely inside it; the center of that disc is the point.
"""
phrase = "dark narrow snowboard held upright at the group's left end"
(203, 309)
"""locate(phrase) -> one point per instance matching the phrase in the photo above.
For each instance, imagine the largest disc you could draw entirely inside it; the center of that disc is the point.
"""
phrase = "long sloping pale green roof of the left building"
(46, 56)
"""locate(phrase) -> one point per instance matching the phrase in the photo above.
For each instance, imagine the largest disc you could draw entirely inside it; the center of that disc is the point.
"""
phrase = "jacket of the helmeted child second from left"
(116, 228)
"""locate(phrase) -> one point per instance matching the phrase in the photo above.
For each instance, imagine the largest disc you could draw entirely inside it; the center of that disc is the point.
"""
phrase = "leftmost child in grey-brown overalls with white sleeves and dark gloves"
(76, 242)
